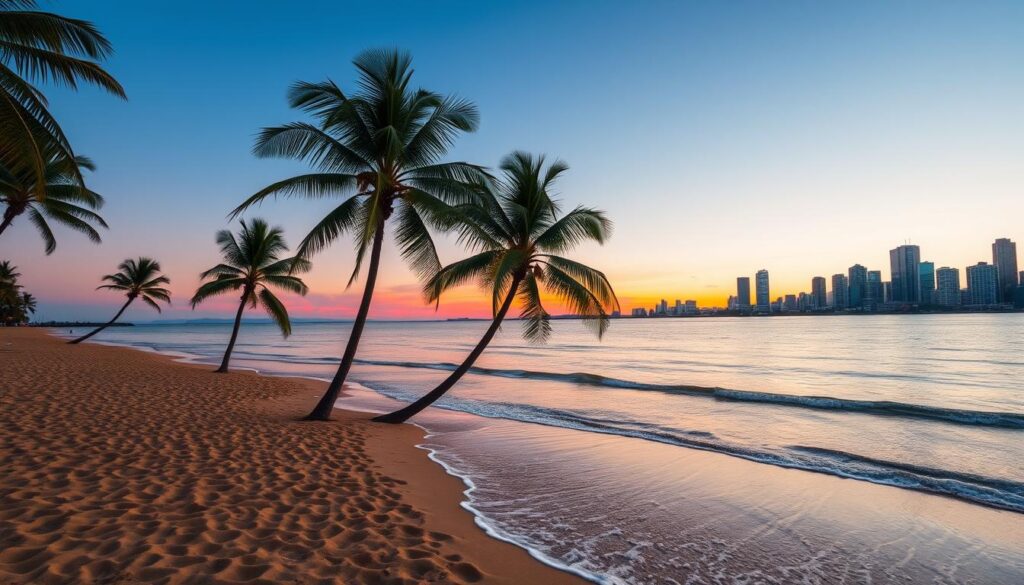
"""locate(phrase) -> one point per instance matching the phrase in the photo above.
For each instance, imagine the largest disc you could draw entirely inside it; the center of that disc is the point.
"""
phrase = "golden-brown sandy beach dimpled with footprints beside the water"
(120, 467)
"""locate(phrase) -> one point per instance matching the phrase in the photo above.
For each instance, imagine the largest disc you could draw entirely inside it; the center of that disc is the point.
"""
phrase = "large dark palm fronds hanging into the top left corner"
(39, 47)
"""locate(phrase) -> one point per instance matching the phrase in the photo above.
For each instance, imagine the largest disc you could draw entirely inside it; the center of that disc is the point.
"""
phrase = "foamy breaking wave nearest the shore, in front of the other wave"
(993, 492)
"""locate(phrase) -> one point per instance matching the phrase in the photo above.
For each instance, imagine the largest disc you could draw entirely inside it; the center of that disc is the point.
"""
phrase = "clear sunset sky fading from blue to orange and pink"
(720, 138)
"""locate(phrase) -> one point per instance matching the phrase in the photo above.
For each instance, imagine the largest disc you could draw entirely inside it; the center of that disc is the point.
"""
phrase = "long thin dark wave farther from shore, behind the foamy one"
(887, 408)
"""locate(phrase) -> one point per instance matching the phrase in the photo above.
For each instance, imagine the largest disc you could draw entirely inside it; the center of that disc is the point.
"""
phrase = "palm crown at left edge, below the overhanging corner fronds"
(64, 200)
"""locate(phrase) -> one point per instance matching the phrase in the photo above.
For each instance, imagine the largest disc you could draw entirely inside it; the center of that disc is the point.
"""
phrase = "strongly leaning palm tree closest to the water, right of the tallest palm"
(521, 237)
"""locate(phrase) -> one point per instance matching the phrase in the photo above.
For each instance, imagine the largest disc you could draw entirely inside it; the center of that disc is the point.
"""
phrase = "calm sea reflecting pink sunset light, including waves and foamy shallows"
(642, 471)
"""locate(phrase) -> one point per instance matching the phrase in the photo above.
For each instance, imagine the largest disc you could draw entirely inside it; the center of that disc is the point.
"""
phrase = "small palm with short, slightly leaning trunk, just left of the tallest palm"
(252, 263)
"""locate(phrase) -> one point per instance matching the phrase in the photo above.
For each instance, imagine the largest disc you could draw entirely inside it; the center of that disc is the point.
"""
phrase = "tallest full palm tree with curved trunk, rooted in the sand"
(379, 150)
